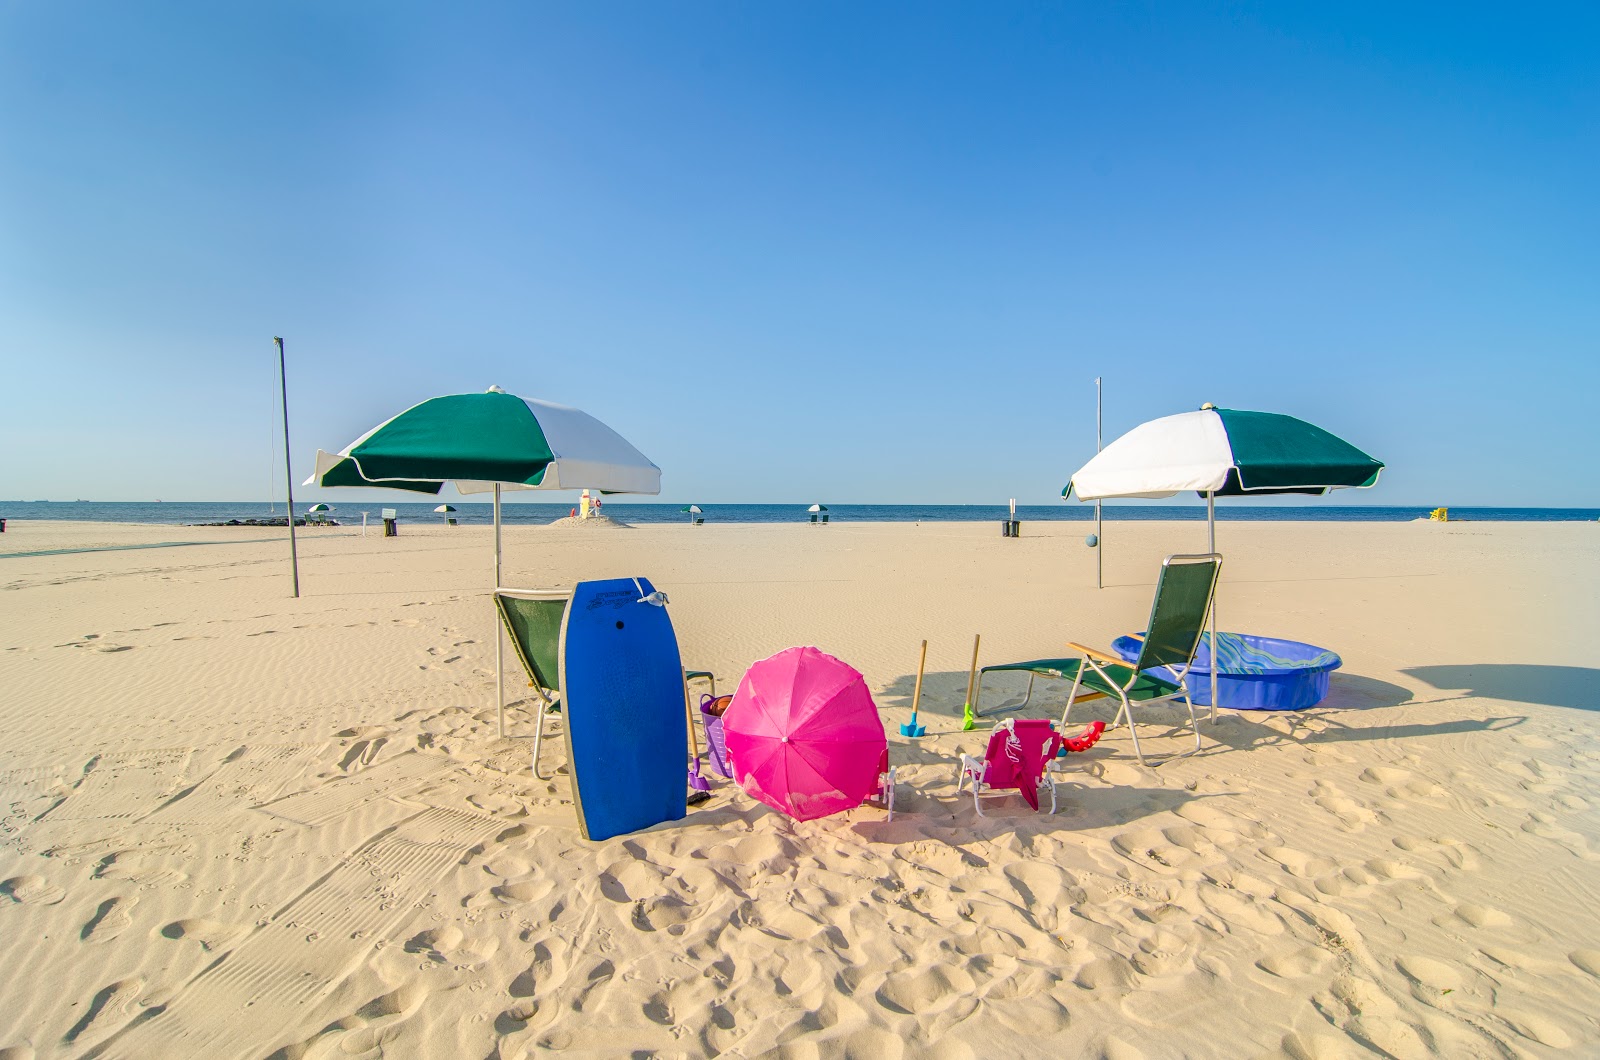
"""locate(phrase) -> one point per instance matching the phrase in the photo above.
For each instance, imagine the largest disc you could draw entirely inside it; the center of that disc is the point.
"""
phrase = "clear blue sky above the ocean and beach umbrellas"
(802, 251)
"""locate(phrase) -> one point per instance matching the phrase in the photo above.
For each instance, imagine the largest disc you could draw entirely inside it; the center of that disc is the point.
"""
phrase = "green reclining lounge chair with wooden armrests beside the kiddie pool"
(1183, 600)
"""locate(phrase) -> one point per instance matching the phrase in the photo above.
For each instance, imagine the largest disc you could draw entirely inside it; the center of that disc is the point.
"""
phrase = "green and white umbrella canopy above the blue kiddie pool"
(1228, 454)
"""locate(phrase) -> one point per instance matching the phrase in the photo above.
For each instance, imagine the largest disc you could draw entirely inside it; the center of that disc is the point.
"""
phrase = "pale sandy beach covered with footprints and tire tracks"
(244, 825)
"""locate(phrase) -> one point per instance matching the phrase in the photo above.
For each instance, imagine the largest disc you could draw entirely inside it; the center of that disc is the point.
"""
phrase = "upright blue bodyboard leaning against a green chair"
(623, 697)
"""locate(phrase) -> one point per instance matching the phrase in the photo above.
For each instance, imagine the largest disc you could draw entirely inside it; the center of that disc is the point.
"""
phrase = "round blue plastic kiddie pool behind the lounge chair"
(1257, 673)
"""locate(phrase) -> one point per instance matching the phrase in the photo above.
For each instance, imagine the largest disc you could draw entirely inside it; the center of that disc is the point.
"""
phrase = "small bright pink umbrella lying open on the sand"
(806, 736)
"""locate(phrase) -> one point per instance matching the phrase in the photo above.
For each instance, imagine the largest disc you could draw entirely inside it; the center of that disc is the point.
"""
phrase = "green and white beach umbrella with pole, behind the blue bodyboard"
(487, 443)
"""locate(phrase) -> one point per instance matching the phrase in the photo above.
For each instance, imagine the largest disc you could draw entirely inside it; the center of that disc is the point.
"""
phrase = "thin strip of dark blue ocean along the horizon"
(180, 513)
